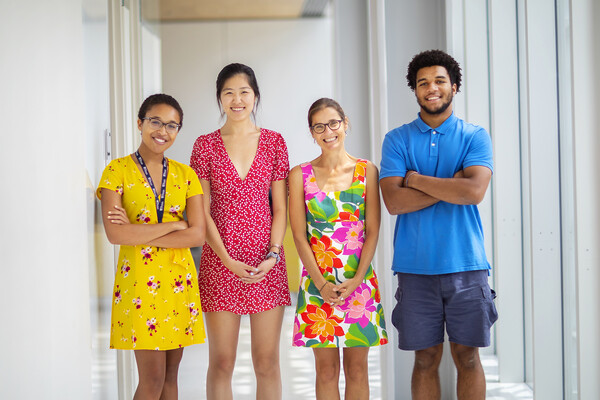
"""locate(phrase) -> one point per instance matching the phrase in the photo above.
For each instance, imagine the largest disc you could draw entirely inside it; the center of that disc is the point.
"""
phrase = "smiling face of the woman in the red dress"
(237, 98)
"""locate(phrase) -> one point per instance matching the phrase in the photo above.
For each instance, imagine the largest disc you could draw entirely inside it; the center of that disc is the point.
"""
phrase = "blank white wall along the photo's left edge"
(45, 292)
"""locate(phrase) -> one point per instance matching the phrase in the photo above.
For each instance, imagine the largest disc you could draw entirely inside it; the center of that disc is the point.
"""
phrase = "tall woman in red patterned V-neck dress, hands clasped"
(242, 268)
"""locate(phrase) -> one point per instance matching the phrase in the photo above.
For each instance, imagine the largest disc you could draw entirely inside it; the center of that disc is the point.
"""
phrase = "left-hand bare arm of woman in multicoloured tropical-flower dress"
(298, 225)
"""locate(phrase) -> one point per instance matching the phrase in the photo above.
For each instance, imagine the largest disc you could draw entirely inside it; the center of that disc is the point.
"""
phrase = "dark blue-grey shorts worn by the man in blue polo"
(461, 302)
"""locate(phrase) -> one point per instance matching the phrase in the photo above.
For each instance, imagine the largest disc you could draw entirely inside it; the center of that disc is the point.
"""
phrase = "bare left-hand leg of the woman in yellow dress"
(151, 369)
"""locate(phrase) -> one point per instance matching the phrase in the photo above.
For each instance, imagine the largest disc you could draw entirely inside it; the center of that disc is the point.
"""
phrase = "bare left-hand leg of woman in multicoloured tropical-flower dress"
(327, 365)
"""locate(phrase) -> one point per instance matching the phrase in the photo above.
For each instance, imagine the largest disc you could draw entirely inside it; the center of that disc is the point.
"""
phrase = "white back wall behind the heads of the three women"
(292, 59)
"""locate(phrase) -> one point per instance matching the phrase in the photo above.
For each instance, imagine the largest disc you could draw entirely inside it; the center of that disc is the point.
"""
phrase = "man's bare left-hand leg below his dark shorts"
(425, 379)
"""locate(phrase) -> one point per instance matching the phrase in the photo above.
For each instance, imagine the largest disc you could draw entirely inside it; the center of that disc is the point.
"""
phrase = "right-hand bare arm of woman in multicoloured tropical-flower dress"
(372, 222)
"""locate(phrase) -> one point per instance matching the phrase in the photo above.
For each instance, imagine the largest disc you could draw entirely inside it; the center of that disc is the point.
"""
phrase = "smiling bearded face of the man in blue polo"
(434, 91)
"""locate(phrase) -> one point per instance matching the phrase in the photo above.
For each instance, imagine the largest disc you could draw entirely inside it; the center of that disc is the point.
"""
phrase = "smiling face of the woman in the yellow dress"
(158, 140)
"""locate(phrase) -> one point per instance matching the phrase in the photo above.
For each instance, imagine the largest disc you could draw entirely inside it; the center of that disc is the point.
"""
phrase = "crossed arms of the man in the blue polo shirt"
(466, 187)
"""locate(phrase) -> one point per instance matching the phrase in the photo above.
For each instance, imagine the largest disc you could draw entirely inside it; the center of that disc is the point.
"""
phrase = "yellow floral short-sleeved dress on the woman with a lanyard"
(155, 302)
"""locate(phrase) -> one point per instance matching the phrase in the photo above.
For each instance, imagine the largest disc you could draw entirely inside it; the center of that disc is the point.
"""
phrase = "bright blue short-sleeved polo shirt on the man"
(443, 238)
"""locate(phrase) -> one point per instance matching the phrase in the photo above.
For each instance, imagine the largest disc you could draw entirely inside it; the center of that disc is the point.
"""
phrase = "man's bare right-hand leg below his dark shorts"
(471, 378)
